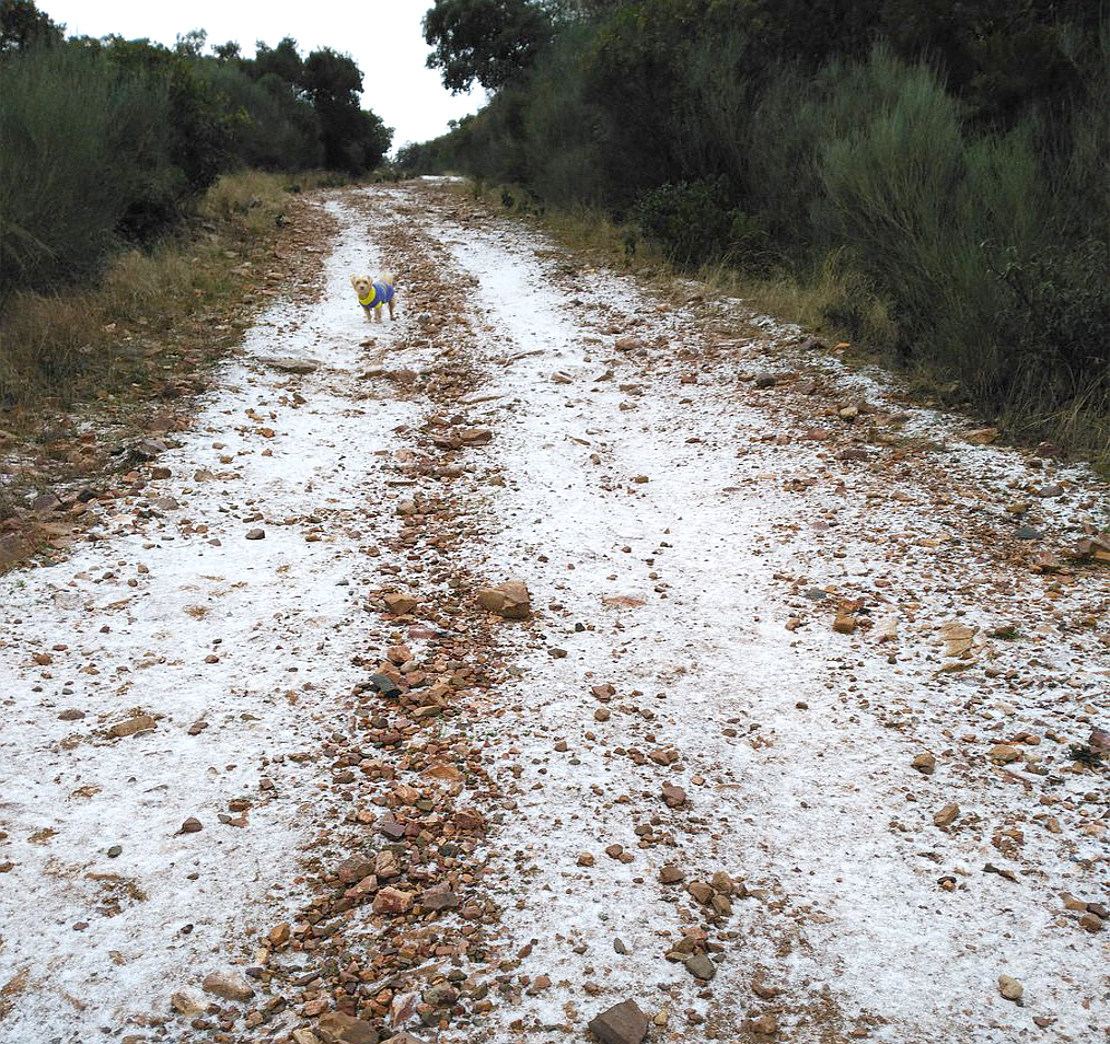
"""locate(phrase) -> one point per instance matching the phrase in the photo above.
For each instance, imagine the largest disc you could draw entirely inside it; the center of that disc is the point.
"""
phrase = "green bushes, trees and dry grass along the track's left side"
(127, 194)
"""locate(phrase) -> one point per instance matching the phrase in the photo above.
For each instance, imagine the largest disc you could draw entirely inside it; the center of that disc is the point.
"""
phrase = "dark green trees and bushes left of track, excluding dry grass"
(110, 143)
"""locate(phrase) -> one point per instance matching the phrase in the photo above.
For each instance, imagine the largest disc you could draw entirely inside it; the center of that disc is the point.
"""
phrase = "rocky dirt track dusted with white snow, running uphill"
(800, 739)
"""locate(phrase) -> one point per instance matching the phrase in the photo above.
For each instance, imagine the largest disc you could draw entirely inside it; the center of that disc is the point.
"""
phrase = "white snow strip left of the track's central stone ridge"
(174, 614)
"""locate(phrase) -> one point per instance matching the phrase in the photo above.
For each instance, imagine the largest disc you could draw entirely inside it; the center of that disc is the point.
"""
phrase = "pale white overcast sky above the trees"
(384, 37)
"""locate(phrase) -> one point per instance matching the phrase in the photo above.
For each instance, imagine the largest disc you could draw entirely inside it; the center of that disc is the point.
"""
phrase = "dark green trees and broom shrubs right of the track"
(943, 167)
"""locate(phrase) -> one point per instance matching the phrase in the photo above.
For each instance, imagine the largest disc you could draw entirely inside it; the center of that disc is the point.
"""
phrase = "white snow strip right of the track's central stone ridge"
(810, 796)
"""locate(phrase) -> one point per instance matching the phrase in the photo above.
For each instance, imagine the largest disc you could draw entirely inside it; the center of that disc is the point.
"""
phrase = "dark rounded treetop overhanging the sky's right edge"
(491, 42)
